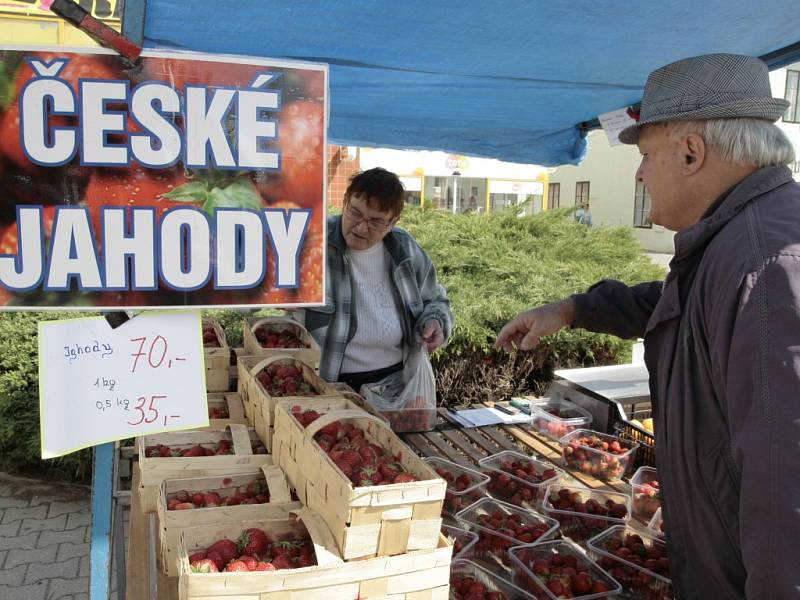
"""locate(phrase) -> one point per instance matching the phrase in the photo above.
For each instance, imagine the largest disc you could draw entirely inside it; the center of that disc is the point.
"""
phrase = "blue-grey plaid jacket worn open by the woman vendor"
(417, 292)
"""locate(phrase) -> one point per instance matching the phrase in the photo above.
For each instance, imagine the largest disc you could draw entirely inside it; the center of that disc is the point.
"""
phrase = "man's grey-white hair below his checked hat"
(742, 141)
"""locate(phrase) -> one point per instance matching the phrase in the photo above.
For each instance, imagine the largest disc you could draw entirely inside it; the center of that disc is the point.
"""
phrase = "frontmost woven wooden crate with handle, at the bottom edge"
(419, 575)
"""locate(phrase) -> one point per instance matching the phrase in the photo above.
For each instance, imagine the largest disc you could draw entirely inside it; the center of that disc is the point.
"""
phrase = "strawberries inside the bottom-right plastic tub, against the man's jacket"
(633, 551)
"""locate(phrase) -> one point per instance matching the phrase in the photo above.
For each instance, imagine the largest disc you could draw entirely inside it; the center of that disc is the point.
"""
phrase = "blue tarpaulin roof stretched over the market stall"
(507, 79)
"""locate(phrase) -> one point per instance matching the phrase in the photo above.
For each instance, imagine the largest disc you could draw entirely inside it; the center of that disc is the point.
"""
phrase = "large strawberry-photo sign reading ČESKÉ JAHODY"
(191, 180)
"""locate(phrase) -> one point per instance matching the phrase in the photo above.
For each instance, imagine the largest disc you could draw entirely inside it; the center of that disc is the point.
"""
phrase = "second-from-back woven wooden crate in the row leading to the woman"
(261, 405)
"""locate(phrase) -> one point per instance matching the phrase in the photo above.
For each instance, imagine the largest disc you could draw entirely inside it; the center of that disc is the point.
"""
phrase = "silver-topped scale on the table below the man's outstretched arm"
(611, 394)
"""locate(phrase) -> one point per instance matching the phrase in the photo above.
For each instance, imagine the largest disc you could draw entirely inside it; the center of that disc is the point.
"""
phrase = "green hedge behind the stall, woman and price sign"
(493, 266)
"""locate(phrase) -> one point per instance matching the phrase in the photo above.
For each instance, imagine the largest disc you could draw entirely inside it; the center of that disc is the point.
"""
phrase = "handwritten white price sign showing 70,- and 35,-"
(98, 384)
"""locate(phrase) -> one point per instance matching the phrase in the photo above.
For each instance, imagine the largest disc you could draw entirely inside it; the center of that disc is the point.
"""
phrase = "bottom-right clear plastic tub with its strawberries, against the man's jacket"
(643, 570)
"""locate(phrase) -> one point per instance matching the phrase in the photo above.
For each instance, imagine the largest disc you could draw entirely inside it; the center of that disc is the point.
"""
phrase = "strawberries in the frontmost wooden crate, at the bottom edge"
(255, 550)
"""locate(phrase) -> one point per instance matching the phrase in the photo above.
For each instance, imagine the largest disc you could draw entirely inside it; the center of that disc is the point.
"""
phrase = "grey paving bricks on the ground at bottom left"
(44, 540)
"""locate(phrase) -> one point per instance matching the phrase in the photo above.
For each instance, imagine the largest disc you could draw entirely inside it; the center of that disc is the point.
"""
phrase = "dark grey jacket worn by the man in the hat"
(722, 345)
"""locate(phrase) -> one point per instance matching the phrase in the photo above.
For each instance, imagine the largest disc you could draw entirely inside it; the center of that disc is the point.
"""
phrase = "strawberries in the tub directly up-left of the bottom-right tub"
(587, 521)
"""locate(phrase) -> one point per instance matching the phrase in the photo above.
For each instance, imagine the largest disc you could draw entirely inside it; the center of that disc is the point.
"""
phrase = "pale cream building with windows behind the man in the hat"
(606, 182)
